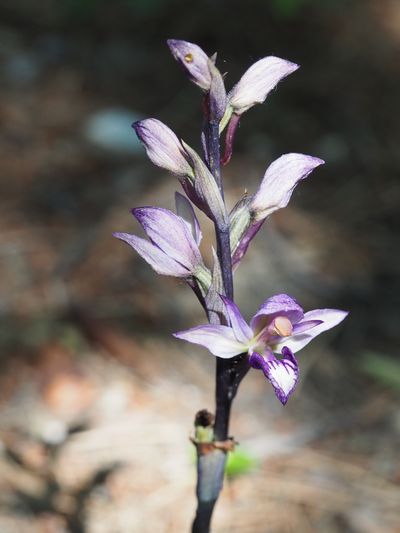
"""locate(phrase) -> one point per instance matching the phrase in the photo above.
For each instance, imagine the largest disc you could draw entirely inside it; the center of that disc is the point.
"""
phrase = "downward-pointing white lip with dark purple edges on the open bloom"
(283, 374)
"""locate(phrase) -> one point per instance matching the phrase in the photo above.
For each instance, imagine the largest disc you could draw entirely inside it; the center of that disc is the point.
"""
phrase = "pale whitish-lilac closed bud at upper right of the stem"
(255, 84)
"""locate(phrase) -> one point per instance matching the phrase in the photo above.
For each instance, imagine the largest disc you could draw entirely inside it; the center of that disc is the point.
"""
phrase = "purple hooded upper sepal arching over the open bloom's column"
(278, 305)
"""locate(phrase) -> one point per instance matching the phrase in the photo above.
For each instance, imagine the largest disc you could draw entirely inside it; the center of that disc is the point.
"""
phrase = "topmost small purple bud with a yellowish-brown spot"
(194, 60)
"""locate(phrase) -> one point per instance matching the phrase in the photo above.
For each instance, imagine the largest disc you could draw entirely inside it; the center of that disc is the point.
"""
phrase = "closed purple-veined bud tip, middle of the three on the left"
(162, 146)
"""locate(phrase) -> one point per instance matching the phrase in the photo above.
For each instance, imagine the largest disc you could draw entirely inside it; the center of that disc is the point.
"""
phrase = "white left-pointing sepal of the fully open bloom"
(219, 340)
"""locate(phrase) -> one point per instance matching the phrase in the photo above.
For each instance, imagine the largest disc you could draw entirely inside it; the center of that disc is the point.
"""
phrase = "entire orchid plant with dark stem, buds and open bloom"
(280, 328)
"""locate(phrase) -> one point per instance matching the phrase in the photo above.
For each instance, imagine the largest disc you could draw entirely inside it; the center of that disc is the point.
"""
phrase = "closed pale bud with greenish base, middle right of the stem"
(274, 192)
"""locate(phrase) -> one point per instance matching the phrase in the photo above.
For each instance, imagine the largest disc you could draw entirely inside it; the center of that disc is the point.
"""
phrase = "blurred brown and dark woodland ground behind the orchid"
(97, 399)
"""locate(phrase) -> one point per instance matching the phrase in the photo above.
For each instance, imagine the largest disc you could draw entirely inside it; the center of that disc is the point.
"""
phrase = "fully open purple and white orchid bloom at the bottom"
(279, 327)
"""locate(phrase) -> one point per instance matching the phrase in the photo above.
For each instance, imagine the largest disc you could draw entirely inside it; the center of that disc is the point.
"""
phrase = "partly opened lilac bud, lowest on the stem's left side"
(172, 248)
